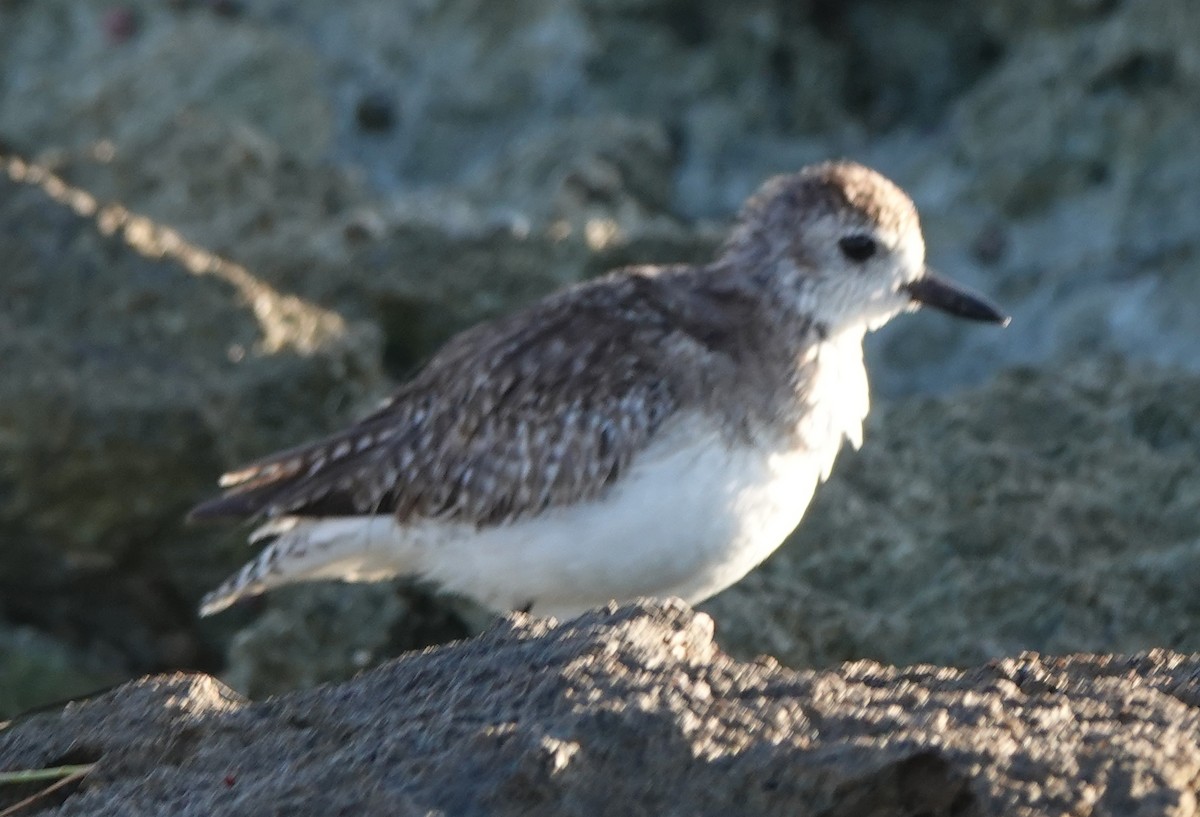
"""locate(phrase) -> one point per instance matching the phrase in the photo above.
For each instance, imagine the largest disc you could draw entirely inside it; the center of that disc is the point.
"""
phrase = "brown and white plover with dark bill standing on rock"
(655, 432)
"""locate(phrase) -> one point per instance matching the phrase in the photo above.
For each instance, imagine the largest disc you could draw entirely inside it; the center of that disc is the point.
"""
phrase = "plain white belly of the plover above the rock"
(692, 518)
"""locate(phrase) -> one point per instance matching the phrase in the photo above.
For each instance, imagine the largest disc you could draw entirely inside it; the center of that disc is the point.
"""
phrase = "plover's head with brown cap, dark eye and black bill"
(842, 244)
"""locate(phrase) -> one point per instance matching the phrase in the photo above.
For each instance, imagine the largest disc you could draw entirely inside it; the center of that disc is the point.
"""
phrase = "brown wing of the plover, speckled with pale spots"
(543, 408)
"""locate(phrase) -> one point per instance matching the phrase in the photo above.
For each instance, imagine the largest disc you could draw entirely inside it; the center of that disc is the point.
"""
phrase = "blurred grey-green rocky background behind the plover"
(229, 226)
